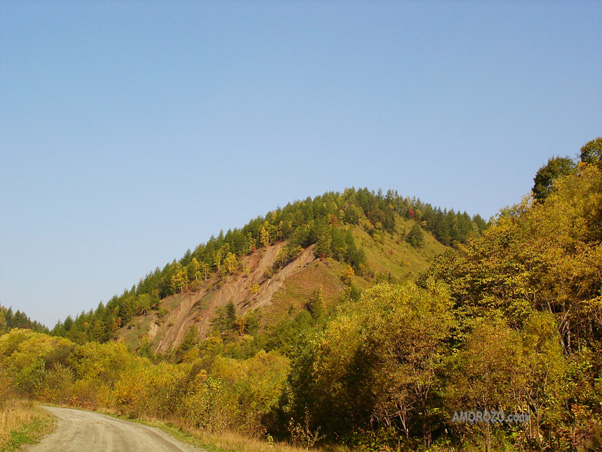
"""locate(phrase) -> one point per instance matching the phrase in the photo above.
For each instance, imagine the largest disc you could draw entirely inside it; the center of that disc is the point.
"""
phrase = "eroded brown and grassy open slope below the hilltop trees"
(278, 294)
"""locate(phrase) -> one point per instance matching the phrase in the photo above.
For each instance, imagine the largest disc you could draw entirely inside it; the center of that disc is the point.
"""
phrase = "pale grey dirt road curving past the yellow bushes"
(83, 431)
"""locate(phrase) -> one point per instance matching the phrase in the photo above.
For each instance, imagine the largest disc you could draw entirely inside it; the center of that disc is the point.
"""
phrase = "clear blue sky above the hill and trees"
(131, 131)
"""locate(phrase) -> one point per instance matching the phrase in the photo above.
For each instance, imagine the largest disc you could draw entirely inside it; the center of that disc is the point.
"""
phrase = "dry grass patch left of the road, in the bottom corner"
(21, 422)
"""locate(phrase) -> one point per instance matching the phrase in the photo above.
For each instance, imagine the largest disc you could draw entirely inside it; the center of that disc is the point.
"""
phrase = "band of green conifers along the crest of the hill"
(324, 222)
